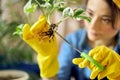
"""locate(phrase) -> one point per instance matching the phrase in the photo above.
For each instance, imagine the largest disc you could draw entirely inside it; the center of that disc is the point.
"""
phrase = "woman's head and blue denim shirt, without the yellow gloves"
(102, 30)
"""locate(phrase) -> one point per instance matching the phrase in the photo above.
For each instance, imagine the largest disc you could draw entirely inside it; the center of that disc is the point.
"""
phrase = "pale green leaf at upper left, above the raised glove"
(29, 7)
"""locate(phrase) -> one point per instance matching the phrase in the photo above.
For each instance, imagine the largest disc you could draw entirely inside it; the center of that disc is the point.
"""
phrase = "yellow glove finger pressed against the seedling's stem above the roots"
(40, 25)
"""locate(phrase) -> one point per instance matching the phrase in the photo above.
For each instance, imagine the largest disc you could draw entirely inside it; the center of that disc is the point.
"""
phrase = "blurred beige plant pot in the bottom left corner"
(13, 75)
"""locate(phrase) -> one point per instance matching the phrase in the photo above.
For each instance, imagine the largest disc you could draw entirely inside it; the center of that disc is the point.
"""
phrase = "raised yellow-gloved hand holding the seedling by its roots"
(46, 48)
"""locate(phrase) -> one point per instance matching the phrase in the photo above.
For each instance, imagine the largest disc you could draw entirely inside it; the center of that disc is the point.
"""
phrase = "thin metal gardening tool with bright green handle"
(83, 54)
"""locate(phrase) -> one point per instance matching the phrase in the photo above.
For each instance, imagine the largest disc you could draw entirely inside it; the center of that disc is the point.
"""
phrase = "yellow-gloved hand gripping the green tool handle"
(108, 58)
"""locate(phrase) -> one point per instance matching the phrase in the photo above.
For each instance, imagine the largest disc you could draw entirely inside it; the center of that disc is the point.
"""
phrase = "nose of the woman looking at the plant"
(95, 23)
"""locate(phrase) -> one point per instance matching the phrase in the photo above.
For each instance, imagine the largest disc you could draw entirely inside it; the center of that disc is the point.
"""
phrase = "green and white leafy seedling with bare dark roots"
(47, 8)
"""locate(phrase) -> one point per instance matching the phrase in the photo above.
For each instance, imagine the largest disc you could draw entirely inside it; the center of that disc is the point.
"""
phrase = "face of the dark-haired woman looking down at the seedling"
(100, 27)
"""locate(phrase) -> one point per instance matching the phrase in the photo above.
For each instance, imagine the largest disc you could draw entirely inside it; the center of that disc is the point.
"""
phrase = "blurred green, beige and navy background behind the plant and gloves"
(14, 52)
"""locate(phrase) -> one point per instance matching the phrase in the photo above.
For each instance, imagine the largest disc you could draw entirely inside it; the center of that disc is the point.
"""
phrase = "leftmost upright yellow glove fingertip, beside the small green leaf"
(26, 32)
